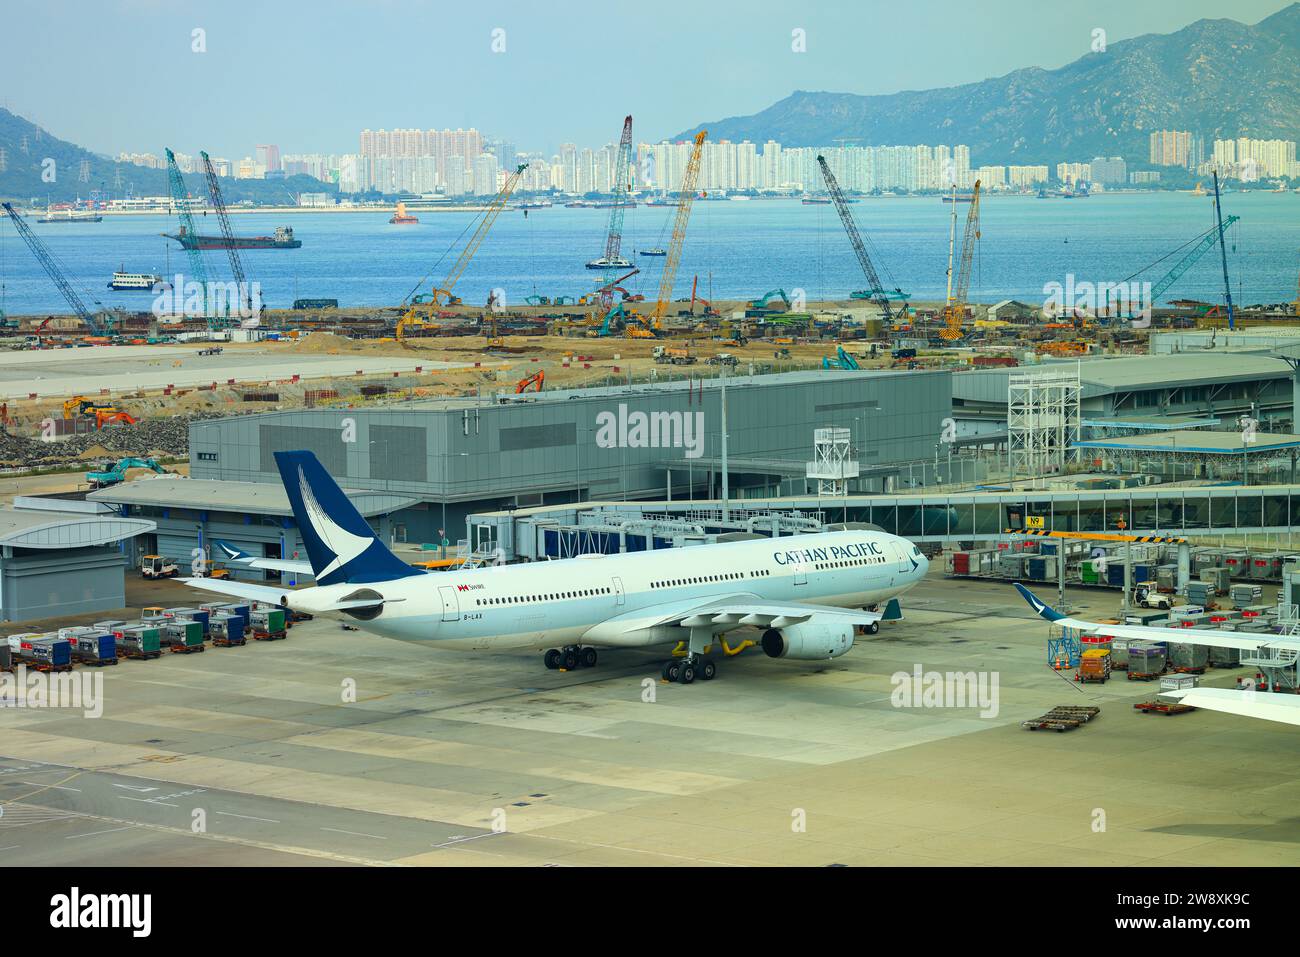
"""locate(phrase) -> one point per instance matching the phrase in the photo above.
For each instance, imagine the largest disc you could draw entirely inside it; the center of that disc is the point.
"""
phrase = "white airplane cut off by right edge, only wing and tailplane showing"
(1273, 707)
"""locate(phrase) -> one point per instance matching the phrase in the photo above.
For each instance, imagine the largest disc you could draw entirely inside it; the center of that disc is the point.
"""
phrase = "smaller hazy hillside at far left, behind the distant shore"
(27, 148)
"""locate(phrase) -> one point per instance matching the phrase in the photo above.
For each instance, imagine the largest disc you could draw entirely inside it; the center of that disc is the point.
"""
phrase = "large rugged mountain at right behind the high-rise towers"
(1216, 77)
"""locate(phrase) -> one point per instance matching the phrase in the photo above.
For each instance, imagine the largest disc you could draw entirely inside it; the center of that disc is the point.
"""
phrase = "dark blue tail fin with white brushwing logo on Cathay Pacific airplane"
(341, 545)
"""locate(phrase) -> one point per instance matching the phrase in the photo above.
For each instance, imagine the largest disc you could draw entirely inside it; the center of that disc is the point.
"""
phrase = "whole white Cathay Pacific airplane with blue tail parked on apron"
(807, 595)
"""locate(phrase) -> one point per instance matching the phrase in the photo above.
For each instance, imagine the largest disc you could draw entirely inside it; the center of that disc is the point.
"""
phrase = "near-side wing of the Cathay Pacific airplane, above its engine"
(727, 613)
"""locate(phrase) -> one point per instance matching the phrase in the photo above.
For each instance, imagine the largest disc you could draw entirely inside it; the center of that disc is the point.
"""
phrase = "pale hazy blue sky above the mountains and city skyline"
(122, 75)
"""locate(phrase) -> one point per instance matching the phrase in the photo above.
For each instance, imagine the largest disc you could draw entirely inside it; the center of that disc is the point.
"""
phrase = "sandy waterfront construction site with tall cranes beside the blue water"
(215, 352)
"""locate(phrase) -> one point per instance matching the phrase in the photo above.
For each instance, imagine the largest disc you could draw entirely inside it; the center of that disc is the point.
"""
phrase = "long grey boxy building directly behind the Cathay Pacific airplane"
(419, 470)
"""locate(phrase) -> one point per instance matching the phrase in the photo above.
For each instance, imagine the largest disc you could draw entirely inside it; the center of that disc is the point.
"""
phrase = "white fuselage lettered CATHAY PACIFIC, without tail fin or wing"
(574, 601)
